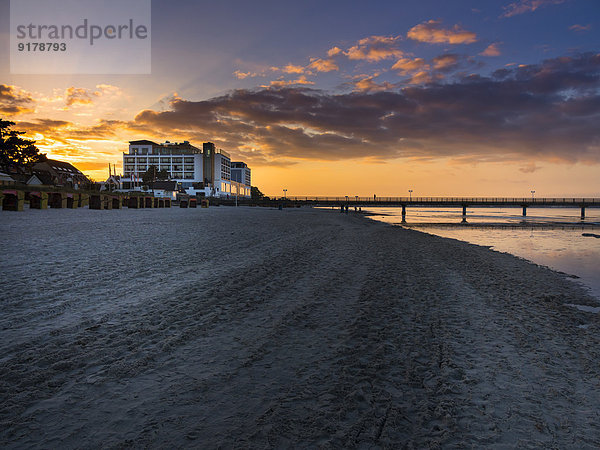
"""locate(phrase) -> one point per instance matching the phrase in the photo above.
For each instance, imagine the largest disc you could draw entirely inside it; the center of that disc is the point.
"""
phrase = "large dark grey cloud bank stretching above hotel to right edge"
(544, 111)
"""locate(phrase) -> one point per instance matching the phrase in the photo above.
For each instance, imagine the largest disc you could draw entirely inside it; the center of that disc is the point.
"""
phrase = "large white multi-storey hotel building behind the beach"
(206, 172)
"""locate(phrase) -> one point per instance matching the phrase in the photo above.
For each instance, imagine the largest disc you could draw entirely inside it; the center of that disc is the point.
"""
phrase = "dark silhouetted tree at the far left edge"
(16, 152)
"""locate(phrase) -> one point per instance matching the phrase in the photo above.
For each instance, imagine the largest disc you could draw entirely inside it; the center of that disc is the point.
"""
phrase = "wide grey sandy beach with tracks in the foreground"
(254, 328)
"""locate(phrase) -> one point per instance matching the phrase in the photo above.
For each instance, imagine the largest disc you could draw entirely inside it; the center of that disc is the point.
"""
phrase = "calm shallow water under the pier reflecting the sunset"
(548, 236)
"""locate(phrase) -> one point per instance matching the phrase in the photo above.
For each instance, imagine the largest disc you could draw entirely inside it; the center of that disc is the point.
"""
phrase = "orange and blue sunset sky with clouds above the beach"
(446, 98)
